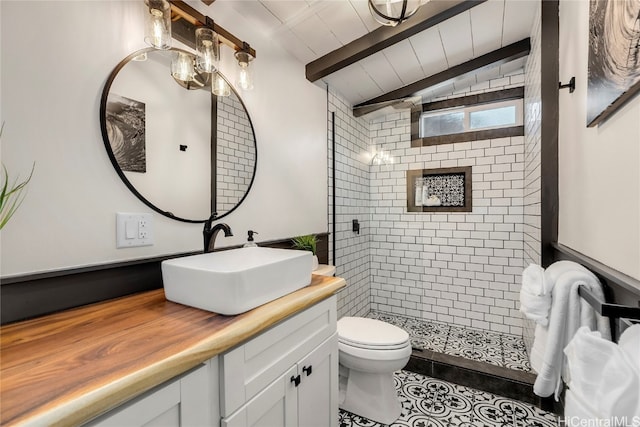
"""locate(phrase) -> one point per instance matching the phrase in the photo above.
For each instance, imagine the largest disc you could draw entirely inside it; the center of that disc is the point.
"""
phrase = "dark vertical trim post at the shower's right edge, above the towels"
(549, 129)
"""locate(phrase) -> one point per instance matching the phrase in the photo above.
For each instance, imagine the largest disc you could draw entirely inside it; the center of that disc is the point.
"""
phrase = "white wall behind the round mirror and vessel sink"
(56, 57)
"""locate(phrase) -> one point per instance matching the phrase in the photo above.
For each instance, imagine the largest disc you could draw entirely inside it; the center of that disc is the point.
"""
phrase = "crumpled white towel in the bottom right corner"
(605, 377)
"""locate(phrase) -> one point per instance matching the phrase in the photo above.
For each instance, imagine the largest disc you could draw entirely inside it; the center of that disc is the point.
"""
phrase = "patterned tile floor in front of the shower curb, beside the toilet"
(429, 402)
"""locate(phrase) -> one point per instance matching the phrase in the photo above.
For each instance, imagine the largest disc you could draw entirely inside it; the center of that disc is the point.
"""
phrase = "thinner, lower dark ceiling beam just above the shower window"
(492, 59)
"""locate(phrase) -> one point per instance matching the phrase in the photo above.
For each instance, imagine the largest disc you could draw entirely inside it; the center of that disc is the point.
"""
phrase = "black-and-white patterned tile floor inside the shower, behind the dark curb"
(475, 344)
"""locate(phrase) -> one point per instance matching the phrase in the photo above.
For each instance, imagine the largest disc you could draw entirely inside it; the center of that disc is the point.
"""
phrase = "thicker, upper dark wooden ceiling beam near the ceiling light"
(427, 16)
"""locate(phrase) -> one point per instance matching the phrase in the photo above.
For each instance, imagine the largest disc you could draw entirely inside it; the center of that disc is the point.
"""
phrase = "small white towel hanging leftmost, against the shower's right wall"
(535, 297)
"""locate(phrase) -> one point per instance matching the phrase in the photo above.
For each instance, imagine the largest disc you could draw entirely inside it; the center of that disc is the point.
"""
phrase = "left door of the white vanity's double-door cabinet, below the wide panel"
(276, 405)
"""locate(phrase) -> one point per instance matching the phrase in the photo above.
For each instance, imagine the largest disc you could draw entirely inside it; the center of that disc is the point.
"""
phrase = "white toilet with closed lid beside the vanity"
(369, 352)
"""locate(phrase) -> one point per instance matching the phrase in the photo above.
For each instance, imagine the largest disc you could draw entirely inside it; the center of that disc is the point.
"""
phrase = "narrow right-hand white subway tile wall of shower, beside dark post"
(532, 120)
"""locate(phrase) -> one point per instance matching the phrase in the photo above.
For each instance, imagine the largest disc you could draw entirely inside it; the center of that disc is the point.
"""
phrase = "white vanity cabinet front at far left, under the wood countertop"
(182, 401)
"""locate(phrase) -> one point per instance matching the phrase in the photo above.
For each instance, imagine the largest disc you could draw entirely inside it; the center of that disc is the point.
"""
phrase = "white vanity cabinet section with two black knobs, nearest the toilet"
(287, 376)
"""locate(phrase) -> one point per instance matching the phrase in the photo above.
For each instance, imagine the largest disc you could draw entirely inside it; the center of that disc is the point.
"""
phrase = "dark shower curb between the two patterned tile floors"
(483, 376)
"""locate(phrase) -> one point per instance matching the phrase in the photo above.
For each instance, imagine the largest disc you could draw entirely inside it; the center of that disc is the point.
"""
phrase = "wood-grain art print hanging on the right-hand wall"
(614, 57)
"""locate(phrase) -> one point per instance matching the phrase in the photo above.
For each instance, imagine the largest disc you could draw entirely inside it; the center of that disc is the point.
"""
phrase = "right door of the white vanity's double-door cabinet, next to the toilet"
(318, 390)
